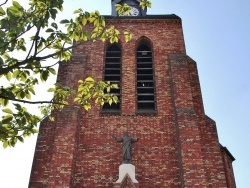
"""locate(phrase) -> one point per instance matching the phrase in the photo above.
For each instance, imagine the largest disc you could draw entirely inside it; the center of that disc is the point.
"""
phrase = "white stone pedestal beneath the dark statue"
(126, 169)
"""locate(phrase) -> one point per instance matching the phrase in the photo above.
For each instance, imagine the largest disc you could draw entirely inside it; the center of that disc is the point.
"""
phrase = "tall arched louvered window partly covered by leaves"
(113, 74)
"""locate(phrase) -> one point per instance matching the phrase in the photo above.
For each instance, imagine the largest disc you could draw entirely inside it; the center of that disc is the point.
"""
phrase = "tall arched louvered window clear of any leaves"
(145, 80)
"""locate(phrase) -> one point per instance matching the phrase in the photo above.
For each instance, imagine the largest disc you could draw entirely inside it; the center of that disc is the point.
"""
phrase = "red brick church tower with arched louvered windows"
(160, 102)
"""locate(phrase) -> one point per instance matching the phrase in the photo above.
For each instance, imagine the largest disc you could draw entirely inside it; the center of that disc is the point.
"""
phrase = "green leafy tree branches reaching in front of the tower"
(45, 44)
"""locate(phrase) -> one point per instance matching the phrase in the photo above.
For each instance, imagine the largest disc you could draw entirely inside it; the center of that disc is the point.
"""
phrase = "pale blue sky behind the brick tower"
(217, 36)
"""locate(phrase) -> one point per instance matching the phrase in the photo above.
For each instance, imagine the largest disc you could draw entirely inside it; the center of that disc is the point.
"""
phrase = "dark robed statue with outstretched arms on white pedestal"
(126, 147)
